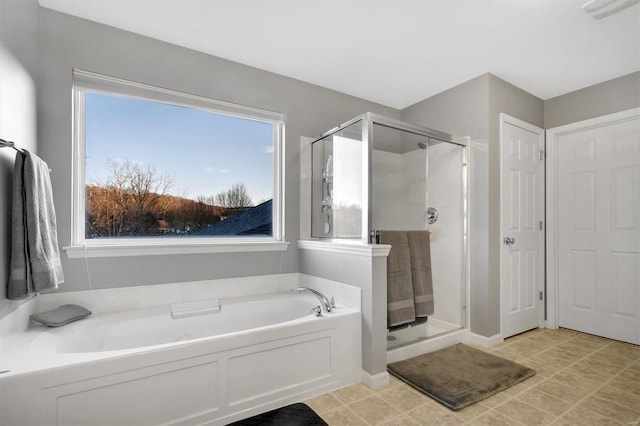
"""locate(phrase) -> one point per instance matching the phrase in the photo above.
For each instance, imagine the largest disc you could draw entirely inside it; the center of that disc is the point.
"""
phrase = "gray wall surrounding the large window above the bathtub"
(66, 42)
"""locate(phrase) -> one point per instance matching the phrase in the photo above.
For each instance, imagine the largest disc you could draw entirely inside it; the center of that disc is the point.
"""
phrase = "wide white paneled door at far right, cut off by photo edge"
(598, 229)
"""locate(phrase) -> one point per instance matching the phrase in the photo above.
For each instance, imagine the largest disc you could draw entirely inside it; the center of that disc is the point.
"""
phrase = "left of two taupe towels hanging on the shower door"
(400, 301)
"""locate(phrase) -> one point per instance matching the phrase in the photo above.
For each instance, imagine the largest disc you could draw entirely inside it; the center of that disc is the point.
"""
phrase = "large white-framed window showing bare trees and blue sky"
(159, 171)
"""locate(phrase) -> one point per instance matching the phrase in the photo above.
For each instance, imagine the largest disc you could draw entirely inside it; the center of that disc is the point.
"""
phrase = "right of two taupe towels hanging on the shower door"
(420, 252)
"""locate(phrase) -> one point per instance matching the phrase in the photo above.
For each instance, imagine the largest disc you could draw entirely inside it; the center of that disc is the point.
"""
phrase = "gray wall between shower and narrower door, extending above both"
(473, 109)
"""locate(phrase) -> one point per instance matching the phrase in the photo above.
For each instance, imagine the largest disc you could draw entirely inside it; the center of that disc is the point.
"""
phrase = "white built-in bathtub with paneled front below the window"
(143, 367)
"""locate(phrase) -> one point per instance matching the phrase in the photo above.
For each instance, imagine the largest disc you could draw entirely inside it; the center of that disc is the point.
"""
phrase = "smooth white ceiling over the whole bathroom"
(395, 52)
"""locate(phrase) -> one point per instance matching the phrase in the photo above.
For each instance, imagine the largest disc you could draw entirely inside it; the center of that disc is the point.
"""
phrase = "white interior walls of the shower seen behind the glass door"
(404, 184)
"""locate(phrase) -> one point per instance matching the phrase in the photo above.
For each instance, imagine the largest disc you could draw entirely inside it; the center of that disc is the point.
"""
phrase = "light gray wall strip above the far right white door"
(604, 98)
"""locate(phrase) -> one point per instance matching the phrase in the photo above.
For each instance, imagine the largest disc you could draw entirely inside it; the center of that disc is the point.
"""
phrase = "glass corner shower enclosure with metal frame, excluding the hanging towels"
(376, 173)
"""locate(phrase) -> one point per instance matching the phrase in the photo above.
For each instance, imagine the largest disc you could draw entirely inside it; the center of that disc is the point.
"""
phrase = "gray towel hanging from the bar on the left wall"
(35, 258)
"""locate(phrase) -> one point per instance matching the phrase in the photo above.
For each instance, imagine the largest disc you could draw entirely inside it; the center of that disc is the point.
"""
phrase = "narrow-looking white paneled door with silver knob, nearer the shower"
(521, 213)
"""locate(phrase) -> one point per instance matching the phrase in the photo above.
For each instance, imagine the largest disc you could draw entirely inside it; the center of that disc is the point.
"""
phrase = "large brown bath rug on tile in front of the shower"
(459, 375)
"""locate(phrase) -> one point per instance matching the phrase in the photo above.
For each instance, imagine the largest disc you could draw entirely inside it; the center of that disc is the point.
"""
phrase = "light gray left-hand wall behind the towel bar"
(18, 75)
